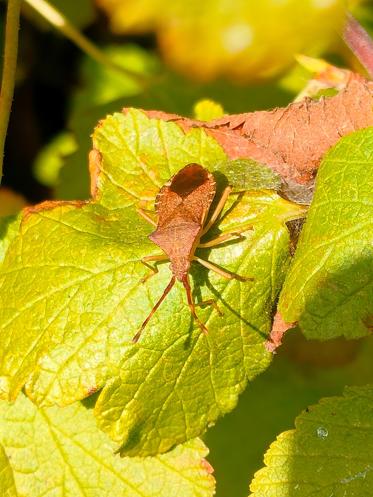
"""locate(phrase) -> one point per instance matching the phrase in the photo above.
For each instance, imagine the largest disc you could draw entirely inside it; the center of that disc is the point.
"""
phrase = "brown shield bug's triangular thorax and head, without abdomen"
(178, 239)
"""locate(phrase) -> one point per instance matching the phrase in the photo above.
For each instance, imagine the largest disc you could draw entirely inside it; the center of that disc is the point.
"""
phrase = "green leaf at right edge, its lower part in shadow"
(329, 288)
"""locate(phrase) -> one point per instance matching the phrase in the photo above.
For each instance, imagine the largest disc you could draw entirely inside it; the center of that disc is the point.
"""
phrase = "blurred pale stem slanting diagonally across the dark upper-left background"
(56, 19)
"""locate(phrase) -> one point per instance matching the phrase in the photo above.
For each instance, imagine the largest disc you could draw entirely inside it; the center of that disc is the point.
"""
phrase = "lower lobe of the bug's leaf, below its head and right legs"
(196, 377)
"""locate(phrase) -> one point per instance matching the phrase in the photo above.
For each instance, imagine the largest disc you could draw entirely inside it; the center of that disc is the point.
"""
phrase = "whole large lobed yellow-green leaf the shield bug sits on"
(72, 298)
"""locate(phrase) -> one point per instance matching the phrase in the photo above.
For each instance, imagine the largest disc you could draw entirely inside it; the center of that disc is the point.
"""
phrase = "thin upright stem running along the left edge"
(9, 71)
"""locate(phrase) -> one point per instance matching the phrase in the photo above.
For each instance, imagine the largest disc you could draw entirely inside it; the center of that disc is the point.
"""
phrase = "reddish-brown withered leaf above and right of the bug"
(291, 140)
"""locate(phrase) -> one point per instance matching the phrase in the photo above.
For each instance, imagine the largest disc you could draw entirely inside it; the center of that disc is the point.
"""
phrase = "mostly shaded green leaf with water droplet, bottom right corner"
(330, 453)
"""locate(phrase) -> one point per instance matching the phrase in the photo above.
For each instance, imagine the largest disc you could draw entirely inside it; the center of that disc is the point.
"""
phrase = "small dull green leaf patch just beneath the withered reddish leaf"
(248, 174)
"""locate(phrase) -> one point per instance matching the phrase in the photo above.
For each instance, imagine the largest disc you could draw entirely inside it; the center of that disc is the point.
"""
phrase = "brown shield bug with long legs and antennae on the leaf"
(182, 205)
